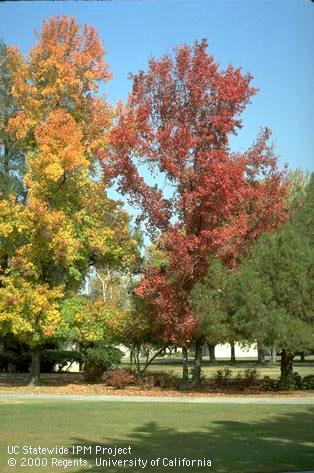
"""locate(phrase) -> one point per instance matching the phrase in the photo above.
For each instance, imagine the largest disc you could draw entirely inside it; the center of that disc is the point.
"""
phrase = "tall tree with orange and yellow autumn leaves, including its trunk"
(67, 222)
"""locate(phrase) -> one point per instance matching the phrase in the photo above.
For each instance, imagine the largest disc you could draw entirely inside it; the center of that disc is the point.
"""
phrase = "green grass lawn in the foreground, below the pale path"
(237, 438)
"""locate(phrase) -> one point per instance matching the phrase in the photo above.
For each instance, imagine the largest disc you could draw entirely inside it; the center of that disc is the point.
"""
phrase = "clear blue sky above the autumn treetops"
(271, 39)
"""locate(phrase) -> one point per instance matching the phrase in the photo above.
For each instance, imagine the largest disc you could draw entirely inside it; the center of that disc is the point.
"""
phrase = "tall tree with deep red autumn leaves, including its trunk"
(178, 120)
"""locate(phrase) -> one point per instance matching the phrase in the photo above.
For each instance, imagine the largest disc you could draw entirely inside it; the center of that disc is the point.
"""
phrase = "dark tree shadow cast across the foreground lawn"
(280, 443)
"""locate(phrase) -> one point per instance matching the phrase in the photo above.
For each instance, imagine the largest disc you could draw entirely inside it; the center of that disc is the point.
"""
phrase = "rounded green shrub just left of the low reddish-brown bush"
(100, 359)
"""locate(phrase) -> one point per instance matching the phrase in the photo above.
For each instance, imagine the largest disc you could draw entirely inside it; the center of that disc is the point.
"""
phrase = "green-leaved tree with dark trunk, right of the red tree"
(271, 299)
